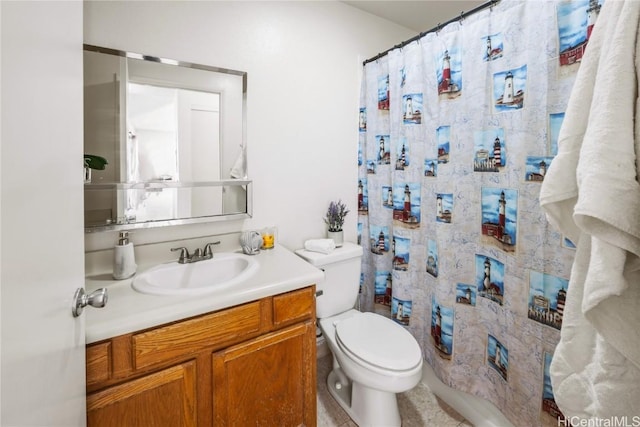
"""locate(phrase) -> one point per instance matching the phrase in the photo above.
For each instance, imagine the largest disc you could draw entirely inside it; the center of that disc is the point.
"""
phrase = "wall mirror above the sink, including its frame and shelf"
(164, 142)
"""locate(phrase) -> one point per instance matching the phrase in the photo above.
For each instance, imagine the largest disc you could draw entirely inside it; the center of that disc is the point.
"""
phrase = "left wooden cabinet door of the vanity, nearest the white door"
(164, 398)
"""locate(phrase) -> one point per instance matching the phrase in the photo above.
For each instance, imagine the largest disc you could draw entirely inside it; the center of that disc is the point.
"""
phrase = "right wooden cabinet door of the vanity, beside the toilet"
(269, 381)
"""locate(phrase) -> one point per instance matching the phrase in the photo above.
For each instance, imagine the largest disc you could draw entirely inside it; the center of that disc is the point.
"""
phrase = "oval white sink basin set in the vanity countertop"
(198, 278)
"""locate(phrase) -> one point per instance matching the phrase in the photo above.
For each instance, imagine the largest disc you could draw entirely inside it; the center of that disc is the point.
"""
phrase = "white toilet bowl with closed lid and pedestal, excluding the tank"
(374, 358)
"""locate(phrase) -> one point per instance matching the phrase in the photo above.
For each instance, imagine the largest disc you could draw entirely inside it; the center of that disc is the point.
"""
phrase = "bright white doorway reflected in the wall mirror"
(154, 113)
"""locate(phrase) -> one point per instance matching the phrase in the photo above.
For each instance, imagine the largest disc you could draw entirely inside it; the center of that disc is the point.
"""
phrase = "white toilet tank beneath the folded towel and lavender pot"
(339, 290)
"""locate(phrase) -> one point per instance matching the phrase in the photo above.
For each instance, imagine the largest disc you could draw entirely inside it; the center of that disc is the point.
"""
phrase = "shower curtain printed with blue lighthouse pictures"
(457, 130)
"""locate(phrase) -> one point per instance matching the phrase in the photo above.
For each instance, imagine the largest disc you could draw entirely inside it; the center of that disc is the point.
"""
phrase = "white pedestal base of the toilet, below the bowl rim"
(367, 407)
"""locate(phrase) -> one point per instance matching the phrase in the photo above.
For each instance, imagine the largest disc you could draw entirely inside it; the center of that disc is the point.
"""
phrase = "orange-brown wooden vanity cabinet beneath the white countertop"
(252, 364)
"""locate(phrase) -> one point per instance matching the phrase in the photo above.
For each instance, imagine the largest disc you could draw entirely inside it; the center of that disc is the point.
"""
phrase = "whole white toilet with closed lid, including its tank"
(373, 357)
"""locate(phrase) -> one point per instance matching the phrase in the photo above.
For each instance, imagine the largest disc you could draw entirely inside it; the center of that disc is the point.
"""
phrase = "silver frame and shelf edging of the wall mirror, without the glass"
(168, 184)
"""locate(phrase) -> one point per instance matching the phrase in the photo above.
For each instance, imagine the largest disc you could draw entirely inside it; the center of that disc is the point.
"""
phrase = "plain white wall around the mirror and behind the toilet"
(303, 60)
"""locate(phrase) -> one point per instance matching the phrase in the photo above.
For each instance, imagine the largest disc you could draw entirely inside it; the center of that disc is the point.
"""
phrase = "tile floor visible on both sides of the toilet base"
(418, 407)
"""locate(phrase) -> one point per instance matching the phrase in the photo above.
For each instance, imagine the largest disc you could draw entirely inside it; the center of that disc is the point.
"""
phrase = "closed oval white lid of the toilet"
(379, 341)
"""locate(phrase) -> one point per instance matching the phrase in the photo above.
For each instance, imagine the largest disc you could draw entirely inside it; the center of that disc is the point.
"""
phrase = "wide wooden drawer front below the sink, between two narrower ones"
(190, 336)
